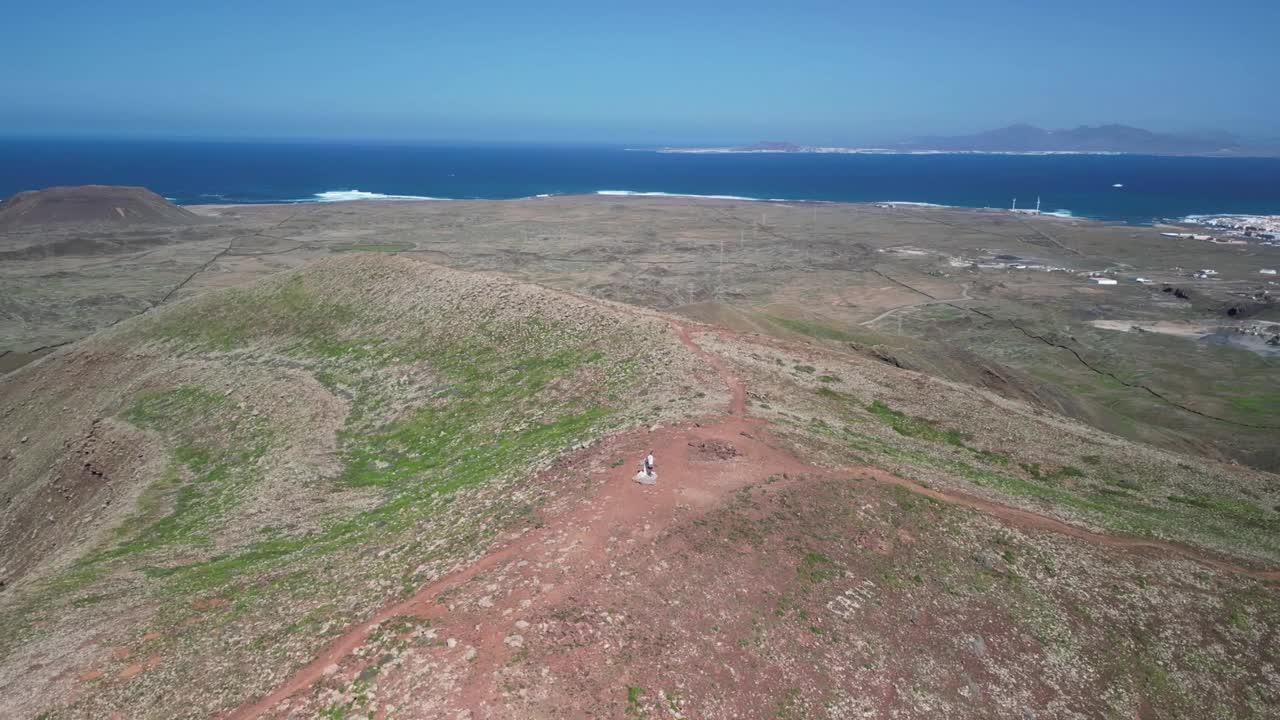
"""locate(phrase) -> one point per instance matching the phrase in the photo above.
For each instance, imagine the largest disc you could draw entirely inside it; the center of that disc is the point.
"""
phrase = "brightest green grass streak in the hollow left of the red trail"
(488, 426)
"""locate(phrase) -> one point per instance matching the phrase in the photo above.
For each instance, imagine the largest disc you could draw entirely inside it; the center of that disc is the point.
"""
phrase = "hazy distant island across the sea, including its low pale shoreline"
(1030, 140)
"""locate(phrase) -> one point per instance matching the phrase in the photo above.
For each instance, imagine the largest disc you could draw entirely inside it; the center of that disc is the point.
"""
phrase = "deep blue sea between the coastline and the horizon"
(262, 172)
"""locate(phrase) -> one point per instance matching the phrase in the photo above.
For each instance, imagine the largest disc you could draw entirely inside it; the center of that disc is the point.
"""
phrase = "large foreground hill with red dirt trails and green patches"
(380, 487)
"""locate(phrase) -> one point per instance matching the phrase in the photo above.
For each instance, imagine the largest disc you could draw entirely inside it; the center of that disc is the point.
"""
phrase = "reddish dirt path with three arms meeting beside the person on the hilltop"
(700, 467)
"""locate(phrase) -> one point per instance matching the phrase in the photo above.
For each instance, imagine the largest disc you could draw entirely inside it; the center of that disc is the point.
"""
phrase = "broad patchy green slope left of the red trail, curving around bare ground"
(491, 402)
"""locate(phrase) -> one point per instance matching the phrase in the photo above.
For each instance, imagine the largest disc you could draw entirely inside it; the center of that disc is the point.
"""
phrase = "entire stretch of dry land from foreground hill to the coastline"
(378, 461)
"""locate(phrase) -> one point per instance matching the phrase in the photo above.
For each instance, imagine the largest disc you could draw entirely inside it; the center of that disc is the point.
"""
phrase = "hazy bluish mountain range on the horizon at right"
(1092, 139)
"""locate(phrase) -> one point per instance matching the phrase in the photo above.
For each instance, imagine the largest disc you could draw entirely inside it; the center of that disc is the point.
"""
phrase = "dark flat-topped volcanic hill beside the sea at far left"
(92, 206)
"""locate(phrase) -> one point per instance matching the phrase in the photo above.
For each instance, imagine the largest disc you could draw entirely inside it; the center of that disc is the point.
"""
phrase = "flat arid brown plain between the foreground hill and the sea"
(929, 288)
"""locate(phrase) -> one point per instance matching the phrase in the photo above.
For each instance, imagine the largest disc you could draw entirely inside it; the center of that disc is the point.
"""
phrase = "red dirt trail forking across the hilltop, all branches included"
(689, 482)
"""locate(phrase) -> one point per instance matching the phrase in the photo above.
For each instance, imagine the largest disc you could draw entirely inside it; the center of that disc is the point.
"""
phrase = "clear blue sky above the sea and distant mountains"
(659, 71)
